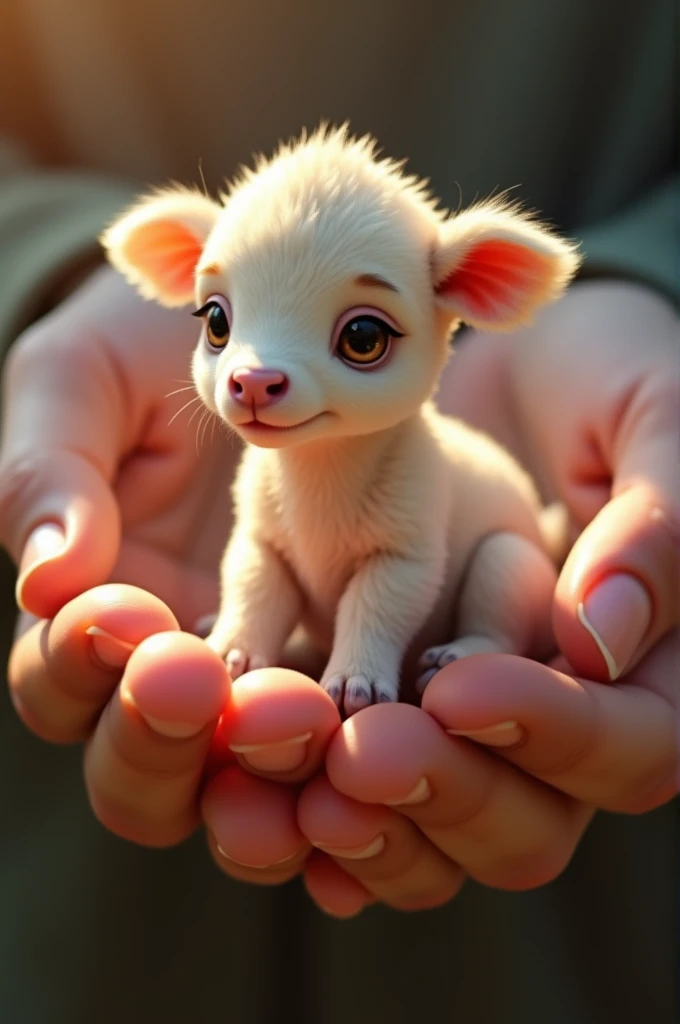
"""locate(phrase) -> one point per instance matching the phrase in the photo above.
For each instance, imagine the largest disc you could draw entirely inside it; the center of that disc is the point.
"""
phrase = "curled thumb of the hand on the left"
(60, 522)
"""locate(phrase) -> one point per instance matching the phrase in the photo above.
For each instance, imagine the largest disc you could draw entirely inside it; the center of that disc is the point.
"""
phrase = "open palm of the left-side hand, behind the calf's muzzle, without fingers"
(135, 413)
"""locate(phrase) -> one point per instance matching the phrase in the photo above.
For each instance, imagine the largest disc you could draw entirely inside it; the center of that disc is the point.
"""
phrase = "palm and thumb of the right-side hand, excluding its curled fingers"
(589, 399)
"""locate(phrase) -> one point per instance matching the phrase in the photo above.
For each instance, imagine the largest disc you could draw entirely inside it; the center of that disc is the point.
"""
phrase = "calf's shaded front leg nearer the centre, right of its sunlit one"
(385, 606)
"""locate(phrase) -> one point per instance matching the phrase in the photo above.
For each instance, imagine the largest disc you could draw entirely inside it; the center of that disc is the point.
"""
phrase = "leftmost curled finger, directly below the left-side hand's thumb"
(63, 672)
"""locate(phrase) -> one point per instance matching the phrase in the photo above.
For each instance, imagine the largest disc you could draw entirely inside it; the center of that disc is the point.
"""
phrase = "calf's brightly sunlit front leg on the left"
(261, 606)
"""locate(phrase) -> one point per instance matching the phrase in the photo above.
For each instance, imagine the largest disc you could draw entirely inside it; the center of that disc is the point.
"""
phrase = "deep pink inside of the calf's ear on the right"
(496, 276)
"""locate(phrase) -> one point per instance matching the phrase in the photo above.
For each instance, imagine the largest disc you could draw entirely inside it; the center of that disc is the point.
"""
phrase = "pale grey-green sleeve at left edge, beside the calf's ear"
(50, 223)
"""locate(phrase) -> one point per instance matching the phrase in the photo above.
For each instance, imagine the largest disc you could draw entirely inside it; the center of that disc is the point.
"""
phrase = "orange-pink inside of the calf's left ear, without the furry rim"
(168, 252)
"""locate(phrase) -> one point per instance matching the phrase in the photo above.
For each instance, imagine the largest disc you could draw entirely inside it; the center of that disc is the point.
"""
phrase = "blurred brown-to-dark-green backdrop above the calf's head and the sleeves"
(546, 98)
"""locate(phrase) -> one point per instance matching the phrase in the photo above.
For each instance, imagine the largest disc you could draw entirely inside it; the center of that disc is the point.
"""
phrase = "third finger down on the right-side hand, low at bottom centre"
(378, 847)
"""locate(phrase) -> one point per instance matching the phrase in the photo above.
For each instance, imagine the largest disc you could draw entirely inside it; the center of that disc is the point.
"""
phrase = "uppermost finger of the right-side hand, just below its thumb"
(612, 747)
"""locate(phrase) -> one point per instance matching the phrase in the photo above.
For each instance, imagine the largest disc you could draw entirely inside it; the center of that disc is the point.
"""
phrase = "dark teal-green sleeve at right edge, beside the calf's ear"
(641, 243)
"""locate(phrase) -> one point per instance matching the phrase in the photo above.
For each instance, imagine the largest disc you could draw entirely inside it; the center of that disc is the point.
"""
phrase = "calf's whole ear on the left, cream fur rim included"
(158, 243)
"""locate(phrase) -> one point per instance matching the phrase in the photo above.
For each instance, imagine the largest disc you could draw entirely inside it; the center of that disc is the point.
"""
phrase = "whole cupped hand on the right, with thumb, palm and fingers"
(589, 400)
